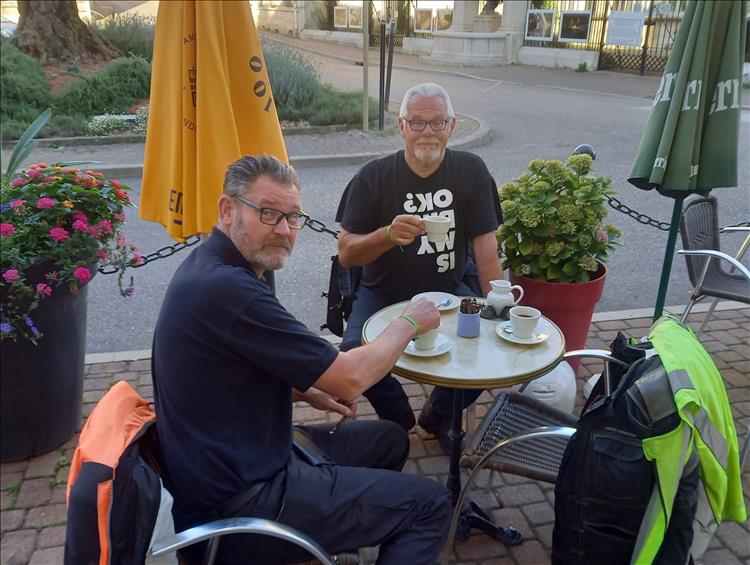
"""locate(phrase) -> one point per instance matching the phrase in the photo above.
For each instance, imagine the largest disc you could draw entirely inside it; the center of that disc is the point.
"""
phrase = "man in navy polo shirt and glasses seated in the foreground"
(228, 360)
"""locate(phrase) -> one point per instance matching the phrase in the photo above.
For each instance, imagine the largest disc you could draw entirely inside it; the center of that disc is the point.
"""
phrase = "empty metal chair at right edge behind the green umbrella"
(700, 231)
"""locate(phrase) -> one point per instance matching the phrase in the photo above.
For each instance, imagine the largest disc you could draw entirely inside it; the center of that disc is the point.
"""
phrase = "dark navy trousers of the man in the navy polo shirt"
(358, 499)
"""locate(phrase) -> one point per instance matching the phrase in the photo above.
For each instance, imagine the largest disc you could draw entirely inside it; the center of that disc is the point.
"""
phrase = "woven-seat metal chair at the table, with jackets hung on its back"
(523, 436)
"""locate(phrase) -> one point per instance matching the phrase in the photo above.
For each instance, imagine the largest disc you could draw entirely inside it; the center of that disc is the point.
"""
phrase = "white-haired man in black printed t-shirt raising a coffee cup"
(381, 215)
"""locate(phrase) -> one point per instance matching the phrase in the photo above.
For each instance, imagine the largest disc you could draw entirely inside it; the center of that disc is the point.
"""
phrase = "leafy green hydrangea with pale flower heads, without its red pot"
(553, 221)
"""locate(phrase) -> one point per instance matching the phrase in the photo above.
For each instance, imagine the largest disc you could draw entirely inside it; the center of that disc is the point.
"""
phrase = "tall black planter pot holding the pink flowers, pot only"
(42, 385)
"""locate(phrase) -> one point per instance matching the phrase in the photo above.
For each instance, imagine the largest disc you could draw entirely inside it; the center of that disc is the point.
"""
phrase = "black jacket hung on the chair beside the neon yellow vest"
(605, 483)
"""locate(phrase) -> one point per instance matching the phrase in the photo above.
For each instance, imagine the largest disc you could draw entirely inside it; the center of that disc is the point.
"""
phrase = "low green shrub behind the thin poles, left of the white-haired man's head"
(334, 107)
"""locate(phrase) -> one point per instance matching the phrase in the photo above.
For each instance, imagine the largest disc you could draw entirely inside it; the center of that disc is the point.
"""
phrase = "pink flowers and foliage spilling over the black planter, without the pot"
(67, 218)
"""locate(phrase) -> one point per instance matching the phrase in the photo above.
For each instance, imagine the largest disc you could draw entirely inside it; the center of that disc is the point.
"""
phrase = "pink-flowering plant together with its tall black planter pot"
(56, 224)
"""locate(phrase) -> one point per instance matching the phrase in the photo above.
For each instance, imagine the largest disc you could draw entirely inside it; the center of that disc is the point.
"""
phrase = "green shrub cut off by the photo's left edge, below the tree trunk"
(24, 90)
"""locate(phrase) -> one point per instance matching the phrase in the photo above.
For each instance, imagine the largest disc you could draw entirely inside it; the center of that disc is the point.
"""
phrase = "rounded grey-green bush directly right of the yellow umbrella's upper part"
(294, 79)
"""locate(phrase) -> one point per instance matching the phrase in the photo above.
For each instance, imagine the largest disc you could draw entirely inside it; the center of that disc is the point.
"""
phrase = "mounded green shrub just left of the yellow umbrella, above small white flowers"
(110, 91)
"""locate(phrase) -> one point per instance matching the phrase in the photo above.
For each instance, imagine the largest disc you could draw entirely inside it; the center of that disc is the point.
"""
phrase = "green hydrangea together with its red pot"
(554, 241)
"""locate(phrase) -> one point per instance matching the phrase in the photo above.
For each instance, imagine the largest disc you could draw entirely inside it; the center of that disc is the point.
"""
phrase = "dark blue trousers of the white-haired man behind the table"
(387, 396)
